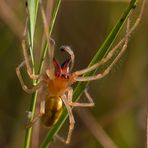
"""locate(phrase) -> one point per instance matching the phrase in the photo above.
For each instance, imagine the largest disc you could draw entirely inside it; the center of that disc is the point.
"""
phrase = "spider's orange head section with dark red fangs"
(63, 78)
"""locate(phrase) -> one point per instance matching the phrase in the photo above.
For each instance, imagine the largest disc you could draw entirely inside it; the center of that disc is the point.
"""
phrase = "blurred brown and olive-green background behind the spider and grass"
(120, 98)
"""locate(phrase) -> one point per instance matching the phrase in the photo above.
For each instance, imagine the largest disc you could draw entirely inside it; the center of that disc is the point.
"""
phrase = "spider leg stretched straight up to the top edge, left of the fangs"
(50, 41)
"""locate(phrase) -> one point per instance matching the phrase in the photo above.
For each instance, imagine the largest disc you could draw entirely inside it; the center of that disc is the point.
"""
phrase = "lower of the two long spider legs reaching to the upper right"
(108, 69)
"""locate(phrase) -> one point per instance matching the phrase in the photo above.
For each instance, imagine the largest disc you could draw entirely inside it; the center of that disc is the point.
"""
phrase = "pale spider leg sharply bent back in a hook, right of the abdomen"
(78, 104)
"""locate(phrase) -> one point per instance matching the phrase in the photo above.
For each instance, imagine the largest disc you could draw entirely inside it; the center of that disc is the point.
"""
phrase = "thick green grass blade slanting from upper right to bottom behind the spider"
(98, 56)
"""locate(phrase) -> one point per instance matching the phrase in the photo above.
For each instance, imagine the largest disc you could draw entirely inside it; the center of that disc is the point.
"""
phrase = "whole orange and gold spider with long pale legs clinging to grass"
(57, 79)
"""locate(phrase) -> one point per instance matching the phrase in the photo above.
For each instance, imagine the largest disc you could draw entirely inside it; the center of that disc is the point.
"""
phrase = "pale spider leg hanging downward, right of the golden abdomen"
(71, 120)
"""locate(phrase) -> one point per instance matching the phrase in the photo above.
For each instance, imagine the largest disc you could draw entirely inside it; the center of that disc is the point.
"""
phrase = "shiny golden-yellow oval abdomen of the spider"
(53, 110)
